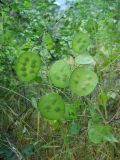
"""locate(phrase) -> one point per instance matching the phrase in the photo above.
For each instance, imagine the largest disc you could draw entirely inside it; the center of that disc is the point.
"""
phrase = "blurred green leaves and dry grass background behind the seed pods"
(24, 134)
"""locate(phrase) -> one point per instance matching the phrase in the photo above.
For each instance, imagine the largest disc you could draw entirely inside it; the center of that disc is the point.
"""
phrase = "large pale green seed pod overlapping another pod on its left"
(83, 81)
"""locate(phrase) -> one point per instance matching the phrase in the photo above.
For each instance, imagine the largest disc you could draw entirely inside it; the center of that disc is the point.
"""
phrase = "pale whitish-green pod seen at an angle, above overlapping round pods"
(84, 59)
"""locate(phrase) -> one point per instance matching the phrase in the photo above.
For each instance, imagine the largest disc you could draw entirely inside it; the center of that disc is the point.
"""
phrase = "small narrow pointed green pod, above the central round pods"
(47, 39)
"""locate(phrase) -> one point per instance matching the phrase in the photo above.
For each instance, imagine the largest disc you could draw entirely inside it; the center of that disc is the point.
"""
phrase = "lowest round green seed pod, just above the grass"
(51, 106)
